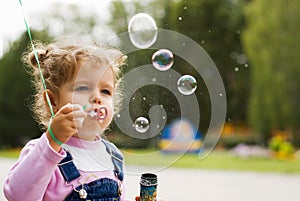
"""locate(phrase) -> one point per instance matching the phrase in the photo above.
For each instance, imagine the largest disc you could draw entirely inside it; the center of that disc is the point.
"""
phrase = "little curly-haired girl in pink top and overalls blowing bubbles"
(70, 161)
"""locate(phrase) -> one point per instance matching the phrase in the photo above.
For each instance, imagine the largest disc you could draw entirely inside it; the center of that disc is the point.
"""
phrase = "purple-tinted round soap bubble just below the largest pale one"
(163, 59)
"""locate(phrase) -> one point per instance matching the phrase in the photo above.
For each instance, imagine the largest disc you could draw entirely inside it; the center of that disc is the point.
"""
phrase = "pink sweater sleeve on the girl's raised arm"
(28, 178)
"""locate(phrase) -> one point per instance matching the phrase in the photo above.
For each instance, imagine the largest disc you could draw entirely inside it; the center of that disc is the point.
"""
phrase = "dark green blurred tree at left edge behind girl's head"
(16, 122)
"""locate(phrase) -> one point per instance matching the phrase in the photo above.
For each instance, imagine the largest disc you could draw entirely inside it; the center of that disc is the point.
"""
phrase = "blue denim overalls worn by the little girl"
(104, 189)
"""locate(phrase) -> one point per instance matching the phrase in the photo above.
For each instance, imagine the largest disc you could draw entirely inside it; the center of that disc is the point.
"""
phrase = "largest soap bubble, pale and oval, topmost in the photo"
(142, 30)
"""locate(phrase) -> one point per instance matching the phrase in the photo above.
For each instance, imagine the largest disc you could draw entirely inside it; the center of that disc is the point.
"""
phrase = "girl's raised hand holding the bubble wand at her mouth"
(65, 124)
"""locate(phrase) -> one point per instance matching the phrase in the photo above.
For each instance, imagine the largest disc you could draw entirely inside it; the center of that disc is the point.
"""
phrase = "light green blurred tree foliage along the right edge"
(272, 43)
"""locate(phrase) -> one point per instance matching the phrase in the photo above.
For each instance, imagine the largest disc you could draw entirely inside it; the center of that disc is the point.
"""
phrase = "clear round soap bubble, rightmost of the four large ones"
(187, 84)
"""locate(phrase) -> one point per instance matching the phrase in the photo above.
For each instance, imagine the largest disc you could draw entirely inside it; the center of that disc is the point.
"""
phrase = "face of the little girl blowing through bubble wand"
(91, 87)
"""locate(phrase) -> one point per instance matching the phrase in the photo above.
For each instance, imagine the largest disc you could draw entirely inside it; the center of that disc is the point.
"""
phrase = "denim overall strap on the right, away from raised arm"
(117, 159)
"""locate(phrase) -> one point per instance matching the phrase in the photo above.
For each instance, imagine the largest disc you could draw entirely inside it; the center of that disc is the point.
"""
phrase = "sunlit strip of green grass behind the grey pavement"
(217, 160)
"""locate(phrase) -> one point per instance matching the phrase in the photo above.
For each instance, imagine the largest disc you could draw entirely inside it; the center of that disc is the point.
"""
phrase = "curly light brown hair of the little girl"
(59, 64)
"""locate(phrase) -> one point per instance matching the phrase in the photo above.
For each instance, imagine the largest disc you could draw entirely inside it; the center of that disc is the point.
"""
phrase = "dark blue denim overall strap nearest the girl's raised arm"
(68, 169)
